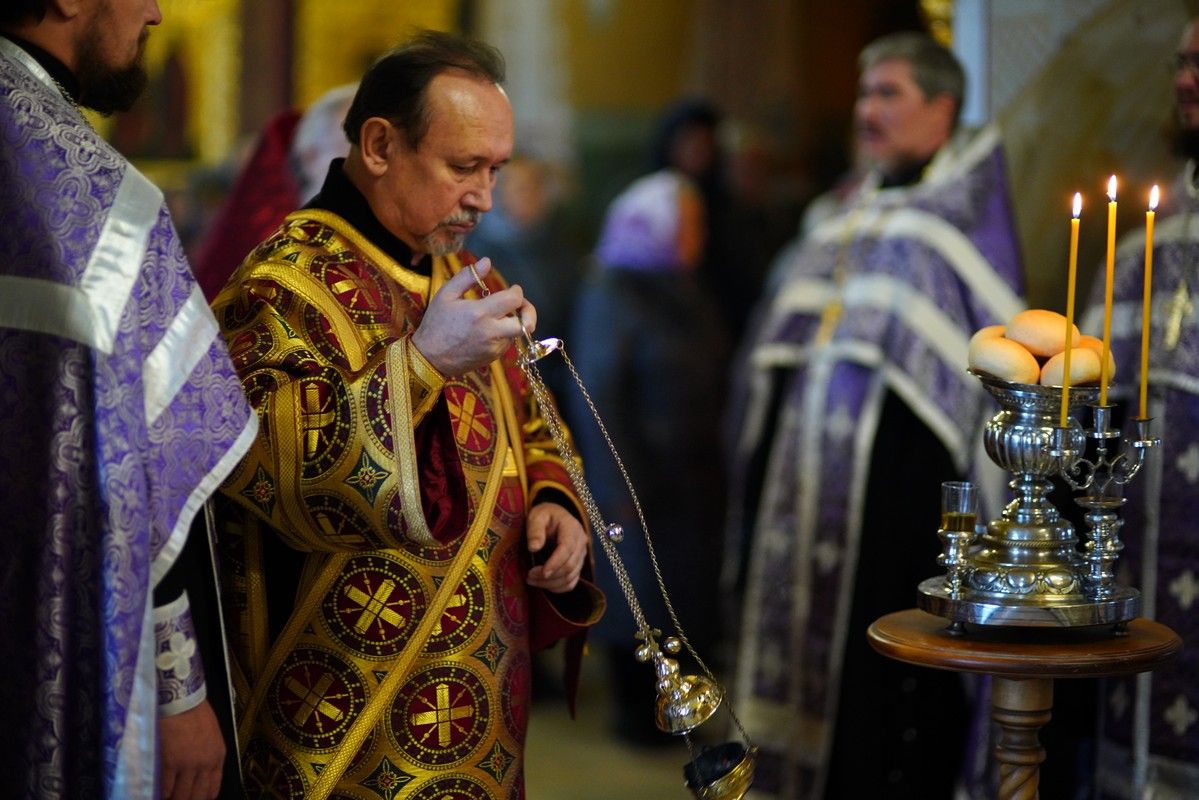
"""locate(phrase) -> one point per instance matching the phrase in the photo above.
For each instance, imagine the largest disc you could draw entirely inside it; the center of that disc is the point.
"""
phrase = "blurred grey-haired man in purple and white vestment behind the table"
(854, 406)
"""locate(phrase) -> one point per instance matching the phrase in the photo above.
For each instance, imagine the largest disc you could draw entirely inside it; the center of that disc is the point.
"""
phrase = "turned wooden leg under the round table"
(1021, 707)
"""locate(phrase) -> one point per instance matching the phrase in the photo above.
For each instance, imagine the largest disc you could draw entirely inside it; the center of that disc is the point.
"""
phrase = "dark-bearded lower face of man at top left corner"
(109, 53)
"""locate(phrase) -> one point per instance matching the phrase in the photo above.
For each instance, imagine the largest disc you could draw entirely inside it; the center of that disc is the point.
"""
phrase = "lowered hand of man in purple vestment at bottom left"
(192, 753)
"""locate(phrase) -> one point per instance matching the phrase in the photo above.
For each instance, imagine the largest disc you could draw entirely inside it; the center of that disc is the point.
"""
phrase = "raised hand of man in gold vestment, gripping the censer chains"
(460, 334)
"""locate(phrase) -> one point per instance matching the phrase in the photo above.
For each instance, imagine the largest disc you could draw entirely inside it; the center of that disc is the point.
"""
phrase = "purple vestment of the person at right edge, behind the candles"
(1149, 733)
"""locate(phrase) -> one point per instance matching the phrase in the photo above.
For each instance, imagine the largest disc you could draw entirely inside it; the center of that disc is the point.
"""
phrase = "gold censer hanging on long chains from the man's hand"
(684, 702)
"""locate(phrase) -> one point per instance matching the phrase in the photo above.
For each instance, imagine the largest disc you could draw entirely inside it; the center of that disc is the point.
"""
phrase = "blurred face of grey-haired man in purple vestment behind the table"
(897, 127)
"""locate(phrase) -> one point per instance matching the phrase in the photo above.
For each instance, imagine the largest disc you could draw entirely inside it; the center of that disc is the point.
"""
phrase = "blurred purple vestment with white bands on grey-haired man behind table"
(879, 299)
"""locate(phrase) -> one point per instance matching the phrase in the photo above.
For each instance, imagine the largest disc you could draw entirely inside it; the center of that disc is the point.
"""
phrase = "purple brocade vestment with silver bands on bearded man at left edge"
(120, 414)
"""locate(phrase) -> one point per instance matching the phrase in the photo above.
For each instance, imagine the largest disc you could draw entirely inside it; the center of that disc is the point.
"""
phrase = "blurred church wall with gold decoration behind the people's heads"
(1079, 87)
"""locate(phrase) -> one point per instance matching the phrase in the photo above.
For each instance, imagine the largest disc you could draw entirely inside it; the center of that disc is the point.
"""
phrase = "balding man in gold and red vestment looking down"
(403, 533)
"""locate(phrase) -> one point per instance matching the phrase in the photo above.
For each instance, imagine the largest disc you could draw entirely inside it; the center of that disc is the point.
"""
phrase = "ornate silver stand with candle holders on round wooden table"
(1028, 568)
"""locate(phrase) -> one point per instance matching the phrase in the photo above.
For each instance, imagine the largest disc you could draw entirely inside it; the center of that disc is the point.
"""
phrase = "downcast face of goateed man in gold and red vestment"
(438, 191)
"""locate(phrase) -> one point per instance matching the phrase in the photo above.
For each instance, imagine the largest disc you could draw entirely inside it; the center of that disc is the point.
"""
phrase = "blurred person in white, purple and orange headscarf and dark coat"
(650, 347)
